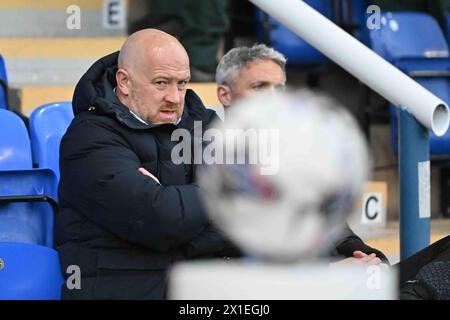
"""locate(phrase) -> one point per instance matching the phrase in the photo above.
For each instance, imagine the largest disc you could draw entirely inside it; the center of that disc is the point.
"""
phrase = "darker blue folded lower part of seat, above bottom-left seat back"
(27, 222)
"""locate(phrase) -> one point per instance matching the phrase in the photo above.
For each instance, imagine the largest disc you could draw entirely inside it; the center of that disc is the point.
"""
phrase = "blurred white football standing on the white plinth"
(283, 173)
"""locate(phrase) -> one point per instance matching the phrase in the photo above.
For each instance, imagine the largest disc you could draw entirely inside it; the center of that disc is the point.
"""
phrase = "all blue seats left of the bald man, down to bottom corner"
(29, 265)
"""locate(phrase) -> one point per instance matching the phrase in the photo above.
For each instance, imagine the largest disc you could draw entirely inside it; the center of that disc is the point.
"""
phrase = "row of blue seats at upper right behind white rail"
(412, 41)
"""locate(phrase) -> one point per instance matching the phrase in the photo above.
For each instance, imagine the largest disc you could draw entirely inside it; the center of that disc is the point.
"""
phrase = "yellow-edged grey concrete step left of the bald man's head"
(53, 62)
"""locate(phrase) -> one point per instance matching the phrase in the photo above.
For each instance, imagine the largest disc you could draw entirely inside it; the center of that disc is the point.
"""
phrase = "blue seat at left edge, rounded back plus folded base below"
(26, 211)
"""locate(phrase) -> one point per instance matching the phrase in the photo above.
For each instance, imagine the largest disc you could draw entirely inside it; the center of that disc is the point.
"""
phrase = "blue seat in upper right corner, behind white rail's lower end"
(414, 43)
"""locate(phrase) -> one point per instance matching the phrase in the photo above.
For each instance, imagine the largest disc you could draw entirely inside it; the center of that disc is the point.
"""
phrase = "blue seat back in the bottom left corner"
(29, 272)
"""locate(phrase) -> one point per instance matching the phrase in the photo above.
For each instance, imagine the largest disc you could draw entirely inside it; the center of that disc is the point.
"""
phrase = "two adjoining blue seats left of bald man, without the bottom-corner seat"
(18, 153)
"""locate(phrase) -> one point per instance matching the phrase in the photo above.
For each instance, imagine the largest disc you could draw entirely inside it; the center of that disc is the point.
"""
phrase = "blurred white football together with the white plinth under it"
(286, 172)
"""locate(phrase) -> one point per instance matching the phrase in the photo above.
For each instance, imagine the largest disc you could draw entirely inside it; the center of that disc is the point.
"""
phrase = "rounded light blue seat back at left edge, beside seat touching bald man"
(15, 150)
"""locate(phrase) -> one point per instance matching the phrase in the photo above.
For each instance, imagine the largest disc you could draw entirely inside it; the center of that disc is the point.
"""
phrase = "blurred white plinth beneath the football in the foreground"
(247, 281)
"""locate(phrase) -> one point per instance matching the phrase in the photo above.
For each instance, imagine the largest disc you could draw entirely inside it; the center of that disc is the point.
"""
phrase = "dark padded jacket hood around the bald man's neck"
(95, 91)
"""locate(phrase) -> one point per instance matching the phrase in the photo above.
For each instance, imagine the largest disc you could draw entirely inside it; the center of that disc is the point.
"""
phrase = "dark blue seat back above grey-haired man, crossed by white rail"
(297, 51)
